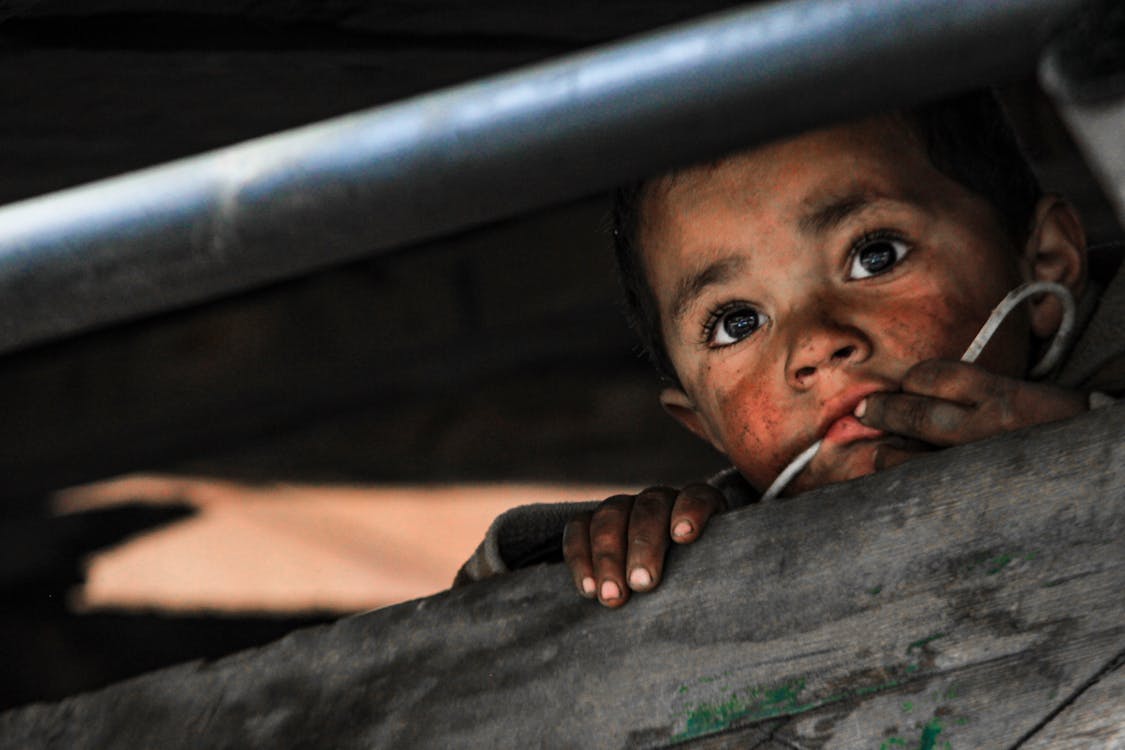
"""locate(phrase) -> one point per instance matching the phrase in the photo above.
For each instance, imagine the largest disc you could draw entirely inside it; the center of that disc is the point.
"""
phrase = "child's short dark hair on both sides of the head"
(967, 138)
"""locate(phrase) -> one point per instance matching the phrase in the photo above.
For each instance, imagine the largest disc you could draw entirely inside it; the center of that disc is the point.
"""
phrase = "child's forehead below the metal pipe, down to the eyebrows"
(772, 205)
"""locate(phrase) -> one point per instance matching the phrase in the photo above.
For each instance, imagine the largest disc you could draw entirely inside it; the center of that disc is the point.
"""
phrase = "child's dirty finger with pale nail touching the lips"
(930, 420)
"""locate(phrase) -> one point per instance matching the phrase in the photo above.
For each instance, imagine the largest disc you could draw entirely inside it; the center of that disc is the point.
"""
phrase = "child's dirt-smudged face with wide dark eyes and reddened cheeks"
(796, 279)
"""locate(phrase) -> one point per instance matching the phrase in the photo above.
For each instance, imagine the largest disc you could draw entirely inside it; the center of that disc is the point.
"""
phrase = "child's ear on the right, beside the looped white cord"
(1056, 251)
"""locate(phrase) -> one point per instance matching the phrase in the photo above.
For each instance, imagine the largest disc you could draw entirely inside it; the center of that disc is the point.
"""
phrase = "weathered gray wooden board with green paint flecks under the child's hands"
(968, 600)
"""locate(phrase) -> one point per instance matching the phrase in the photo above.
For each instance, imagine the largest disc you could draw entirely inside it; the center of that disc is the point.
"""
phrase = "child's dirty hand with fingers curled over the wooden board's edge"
(626, 538)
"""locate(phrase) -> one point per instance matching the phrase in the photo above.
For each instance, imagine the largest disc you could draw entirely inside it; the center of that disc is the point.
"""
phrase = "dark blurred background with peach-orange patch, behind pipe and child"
(208, 481)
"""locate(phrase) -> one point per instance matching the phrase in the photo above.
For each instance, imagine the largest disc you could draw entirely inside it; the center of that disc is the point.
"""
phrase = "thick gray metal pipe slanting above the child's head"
(285, 205)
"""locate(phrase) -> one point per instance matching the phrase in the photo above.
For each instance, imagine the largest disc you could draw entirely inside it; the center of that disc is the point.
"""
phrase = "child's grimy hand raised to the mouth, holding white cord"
(946, 403)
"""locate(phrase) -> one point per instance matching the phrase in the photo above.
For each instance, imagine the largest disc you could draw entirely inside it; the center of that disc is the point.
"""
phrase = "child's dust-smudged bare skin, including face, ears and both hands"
(824, 288)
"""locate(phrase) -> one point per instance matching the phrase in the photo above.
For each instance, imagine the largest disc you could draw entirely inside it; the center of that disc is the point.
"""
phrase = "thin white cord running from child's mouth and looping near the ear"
(1000, 313)
